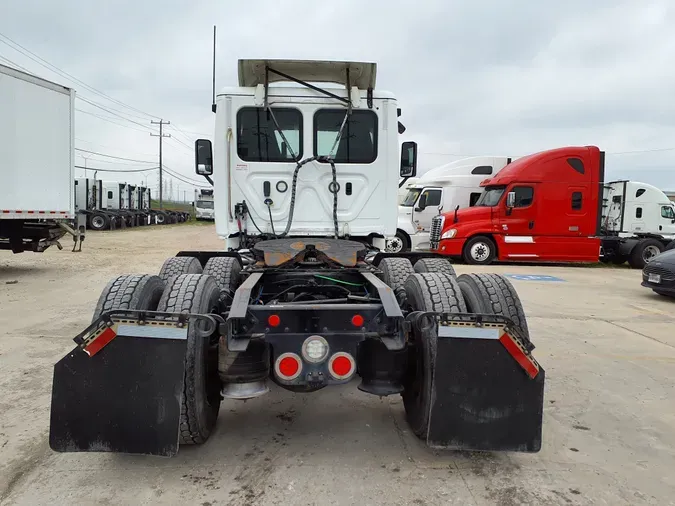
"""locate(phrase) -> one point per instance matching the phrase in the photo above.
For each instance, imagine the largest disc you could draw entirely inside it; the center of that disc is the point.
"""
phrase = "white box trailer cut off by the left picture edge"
(36, 162)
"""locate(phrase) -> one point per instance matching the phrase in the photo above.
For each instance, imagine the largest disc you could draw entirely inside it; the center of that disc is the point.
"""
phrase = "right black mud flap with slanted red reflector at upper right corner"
(488, 392)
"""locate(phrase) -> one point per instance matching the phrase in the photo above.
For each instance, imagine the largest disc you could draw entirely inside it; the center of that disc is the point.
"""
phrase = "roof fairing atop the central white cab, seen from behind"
(361, 74)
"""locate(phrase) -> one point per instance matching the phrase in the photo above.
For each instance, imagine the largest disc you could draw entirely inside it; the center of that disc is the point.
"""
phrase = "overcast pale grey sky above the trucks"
(481, 77)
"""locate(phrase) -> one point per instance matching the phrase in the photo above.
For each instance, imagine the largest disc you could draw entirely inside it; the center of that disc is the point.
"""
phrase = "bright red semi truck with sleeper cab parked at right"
(543, 207)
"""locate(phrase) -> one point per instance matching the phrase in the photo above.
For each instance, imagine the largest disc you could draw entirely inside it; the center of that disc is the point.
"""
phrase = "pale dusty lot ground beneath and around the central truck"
(609, 425)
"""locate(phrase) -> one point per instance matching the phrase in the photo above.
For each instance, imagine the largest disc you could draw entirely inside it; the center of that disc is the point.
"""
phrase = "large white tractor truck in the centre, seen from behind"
(300, 295)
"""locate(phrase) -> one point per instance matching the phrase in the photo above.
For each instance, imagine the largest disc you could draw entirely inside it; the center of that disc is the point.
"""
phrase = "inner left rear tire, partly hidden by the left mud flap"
(200, 403)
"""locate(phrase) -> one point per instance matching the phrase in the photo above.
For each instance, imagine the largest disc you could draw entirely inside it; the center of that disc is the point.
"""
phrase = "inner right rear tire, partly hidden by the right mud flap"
(426, 292)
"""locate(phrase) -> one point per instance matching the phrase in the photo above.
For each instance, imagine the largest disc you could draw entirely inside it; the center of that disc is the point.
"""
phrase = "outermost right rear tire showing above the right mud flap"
(493, 294)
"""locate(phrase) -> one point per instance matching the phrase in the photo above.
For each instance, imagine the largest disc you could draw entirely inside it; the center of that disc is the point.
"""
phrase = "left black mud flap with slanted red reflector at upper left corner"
(120, 391)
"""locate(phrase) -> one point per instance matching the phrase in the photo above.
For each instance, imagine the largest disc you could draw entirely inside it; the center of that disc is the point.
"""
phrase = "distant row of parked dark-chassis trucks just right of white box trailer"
(109, 205)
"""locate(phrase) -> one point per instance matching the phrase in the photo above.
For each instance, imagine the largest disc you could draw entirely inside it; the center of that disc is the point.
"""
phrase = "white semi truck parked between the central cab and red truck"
(456, 184)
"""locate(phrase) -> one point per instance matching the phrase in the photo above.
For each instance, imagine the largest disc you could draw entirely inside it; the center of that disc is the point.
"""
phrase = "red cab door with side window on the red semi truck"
(518, 224)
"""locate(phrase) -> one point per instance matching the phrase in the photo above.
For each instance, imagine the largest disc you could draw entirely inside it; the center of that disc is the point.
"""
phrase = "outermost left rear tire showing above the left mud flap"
(133, 291)
